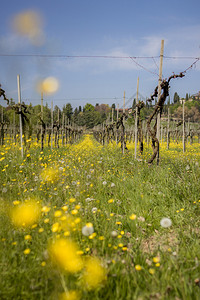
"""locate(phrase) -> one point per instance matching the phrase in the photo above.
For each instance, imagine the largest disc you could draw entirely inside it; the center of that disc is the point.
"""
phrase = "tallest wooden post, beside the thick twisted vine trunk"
(159, 95)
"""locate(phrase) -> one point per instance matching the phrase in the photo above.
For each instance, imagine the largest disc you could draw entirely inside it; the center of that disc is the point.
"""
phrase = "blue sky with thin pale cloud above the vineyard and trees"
(106, 28)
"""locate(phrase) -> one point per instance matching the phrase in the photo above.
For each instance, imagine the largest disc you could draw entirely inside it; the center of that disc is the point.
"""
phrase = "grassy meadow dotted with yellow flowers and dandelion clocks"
(84, 221)
